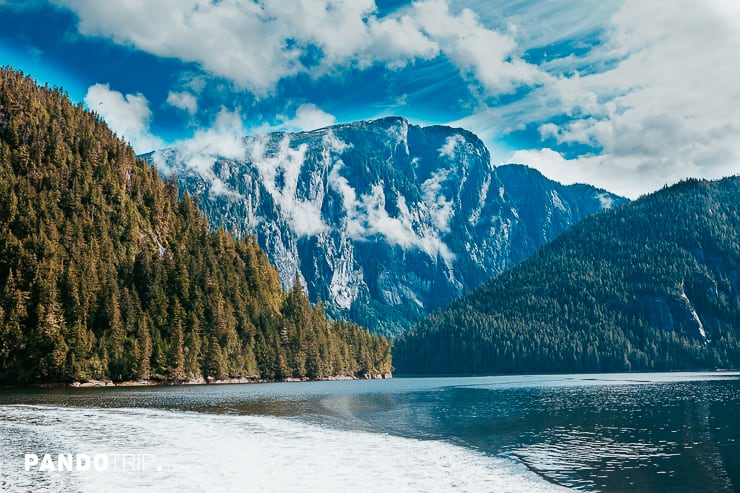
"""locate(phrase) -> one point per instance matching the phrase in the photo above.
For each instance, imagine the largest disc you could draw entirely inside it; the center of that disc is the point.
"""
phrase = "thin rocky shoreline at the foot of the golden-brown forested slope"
(97, 383)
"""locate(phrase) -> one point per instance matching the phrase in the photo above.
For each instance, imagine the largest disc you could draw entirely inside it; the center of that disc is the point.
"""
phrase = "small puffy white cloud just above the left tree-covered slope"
(129, 116)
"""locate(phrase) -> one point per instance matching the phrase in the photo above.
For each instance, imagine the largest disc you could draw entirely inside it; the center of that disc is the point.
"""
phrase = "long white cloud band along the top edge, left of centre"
(257, 44)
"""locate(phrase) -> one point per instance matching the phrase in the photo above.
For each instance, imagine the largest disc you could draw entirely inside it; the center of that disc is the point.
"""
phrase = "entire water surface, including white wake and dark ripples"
(615, 432)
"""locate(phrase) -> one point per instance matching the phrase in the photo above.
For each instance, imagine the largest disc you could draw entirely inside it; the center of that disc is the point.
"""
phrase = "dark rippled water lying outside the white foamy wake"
(632, 432)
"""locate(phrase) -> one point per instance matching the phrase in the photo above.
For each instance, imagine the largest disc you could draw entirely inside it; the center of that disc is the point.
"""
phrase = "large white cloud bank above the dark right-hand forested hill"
(661, 113)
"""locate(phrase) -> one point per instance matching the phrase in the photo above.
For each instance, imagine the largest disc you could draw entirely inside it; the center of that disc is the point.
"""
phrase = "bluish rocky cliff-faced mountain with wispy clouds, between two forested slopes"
(382, 220)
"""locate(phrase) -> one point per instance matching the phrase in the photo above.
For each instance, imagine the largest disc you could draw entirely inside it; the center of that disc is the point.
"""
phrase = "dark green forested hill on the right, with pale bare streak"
(649, 285)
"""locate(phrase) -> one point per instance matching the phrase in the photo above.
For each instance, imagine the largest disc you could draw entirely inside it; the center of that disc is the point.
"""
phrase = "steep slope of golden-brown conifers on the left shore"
(106, 274)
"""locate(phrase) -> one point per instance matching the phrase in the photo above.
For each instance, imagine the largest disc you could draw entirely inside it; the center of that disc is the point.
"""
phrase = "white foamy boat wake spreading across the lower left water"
(214, 453)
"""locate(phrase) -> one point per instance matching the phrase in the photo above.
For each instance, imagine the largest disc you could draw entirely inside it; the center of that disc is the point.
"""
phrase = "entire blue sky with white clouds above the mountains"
(625, 95)
